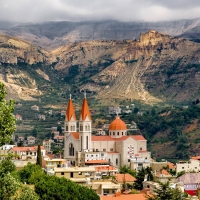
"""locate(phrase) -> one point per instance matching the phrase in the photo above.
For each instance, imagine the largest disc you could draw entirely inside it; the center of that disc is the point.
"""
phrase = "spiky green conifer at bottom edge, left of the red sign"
(164, 192)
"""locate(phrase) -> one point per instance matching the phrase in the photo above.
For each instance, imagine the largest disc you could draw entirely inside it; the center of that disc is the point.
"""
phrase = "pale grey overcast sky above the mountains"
(81, 10)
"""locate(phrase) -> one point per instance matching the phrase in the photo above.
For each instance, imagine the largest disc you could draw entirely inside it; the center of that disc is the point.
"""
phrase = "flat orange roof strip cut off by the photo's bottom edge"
(125, 197)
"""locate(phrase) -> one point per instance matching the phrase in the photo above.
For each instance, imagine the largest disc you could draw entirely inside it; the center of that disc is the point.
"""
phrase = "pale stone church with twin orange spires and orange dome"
(117, 148)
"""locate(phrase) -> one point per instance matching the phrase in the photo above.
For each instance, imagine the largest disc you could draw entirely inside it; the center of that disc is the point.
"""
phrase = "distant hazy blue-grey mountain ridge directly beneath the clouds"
(51, 35)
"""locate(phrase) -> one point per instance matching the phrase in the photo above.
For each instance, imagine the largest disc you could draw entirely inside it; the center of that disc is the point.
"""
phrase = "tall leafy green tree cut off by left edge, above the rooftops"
(7, 119)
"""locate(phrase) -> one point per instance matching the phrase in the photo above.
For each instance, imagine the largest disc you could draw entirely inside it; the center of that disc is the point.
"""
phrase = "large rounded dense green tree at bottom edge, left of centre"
(54, 188)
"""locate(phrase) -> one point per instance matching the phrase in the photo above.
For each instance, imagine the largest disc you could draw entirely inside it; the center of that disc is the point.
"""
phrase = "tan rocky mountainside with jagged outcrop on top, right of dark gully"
(154, 68)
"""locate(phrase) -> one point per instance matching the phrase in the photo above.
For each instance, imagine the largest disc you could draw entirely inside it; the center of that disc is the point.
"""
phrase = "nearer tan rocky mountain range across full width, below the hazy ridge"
(157, 67)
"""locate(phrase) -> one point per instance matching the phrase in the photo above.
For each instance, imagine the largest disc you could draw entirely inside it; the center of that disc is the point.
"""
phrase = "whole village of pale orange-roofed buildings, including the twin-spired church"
(97, 160)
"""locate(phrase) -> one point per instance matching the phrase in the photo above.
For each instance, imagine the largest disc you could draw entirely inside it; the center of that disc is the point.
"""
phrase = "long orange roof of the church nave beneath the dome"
(109, 138)
